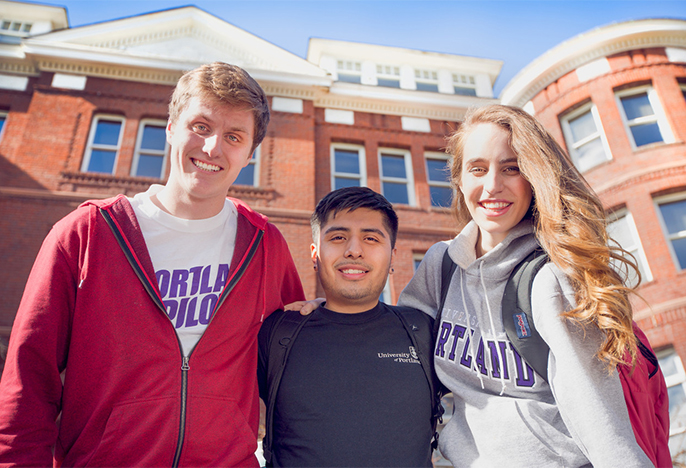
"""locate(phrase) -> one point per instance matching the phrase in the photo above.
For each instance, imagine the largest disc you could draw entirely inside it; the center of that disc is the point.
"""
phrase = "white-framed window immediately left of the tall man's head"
(151, 147)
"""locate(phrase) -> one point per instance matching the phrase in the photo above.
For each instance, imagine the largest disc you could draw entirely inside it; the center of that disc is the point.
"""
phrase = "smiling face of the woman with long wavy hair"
(496, 194)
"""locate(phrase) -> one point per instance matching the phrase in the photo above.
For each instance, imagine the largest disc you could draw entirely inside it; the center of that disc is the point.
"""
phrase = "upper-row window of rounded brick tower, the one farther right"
(643, 117)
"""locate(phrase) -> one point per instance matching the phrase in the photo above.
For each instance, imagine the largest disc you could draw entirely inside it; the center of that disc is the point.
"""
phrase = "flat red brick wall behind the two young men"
(47, 132)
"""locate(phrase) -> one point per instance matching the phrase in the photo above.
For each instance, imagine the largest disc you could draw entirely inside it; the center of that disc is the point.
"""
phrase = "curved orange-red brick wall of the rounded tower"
(634, 177)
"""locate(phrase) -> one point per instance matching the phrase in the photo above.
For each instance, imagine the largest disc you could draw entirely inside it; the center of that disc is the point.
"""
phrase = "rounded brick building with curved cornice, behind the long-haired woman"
(615, 97)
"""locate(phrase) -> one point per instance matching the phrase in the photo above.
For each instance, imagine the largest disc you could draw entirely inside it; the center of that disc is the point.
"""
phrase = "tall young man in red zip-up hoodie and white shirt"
(138, 326)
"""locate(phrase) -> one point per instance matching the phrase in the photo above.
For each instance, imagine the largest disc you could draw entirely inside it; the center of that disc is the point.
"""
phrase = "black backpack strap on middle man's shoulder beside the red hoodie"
(281, 338)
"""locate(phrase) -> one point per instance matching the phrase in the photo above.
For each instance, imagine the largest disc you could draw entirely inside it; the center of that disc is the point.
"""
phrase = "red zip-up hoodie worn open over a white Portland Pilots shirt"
(92, 340)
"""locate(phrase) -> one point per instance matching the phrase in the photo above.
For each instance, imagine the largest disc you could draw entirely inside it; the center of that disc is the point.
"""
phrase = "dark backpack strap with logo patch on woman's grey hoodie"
(517, 316)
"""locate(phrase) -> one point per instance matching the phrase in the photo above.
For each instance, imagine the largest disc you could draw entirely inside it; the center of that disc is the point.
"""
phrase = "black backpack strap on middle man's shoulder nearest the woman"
(417, 325)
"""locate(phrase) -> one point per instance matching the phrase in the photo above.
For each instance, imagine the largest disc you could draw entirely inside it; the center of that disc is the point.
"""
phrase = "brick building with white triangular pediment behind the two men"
(83, 112)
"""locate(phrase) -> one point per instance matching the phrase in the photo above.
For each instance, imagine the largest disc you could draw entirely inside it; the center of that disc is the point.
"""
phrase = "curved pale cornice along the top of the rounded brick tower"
(586, 47)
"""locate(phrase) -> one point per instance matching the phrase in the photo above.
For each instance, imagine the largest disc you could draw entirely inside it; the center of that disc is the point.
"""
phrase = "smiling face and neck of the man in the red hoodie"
(210, 144)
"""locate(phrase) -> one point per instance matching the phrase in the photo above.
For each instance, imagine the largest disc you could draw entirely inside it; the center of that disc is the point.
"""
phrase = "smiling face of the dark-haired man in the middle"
(353, 256)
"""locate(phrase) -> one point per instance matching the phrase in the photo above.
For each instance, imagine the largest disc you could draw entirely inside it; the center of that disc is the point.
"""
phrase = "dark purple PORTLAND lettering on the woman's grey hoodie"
(490, 358)
